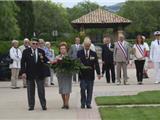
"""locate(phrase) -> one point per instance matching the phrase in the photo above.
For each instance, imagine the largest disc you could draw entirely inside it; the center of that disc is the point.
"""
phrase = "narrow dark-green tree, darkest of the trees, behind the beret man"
(26, 18)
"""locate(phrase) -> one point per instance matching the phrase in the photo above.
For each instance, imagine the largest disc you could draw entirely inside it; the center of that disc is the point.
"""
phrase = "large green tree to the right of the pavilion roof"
(143, 16)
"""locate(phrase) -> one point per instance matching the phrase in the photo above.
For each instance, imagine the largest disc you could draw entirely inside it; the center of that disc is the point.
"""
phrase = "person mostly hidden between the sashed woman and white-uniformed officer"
(145, 74)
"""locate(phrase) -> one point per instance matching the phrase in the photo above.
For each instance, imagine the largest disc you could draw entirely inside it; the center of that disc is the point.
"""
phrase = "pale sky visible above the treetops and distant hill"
(71, 3)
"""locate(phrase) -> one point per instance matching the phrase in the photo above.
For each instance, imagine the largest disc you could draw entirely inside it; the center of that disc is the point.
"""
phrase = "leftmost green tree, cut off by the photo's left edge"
(8, 23)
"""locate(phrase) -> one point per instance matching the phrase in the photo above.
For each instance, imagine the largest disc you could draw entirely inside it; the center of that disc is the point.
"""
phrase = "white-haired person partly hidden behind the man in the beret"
(26, 44)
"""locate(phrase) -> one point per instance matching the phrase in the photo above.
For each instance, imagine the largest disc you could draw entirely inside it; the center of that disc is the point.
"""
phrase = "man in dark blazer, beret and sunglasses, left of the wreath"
(32, 65)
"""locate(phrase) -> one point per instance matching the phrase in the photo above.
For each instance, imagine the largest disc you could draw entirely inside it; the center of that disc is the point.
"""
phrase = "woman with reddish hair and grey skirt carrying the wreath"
(64, 78)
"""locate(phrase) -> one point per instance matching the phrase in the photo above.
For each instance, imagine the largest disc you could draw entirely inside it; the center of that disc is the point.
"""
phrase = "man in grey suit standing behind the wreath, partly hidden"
(73, 52)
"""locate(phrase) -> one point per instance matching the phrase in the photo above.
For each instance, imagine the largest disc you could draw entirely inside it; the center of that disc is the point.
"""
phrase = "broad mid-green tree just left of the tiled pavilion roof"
(48, 17)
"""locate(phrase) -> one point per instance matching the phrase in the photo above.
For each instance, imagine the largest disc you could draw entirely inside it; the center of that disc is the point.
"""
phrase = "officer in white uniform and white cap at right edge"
(155, 55)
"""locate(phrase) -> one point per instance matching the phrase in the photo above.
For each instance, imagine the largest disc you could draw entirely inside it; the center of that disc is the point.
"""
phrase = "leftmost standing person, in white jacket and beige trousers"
(15, 55)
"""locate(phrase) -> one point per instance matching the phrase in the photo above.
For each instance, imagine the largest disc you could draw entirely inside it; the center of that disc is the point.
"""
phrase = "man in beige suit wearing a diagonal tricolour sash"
(121, 58)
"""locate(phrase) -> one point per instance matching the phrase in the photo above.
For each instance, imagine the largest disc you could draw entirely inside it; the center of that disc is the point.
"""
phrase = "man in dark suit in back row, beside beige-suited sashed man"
(107, 59)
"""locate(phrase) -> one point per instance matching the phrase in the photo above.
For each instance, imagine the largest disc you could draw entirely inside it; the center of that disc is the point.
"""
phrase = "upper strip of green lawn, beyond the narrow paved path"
(148, 97)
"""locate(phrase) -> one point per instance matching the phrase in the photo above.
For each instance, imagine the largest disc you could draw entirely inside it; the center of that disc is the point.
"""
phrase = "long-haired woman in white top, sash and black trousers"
(139, 51)
